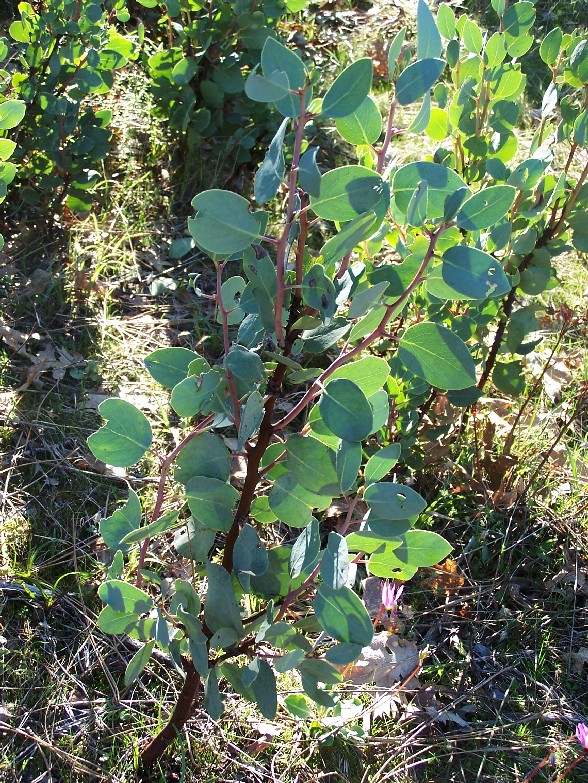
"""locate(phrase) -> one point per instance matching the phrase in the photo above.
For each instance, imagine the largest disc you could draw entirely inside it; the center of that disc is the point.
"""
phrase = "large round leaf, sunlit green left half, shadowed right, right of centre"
(435, 353)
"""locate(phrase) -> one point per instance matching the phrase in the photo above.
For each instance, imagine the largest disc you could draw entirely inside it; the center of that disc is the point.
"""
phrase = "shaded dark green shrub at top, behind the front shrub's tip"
(197, 71)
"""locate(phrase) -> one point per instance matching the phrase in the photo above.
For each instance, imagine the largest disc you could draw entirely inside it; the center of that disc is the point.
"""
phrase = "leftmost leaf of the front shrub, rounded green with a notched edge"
(125, 437)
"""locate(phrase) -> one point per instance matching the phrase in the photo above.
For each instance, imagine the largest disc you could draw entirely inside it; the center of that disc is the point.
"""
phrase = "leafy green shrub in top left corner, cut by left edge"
(58, 57)
